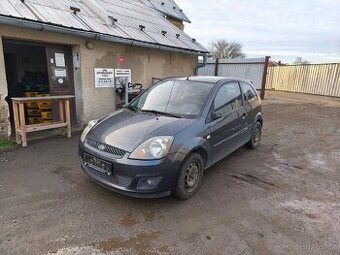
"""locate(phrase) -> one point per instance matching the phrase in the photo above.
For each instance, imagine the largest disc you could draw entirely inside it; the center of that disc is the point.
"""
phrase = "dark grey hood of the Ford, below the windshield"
(127, 129)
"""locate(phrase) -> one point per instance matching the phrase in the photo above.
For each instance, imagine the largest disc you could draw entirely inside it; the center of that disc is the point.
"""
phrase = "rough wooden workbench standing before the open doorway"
(21, 129)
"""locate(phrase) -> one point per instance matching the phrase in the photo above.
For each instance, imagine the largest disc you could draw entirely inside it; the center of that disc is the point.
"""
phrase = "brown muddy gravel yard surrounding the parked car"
(283, 198)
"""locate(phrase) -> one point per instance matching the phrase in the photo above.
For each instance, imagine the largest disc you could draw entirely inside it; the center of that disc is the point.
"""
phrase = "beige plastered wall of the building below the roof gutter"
(92, 102)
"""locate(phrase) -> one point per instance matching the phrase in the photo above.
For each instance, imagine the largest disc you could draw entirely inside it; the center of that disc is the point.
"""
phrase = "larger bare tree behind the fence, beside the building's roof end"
(224, 49)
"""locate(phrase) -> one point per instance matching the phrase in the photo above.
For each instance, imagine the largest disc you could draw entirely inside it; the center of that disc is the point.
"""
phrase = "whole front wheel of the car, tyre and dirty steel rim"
(190, 177)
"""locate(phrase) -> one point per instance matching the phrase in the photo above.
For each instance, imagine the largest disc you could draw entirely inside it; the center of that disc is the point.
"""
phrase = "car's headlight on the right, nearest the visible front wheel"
(154, 148)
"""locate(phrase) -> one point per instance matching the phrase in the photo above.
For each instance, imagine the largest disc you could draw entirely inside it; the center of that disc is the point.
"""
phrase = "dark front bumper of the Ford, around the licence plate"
(128, 175)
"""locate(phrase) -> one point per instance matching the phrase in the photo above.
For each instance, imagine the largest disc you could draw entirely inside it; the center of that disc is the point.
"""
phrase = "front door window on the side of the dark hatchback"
(228, 98)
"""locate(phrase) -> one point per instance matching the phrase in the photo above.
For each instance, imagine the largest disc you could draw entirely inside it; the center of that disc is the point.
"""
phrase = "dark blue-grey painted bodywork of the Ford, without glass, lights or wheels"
(126, 129)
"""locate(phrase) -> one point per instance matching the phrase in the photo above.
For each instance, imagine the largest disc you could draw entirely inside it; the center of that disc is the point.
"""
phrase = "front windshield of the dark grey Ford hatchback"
(177, 98)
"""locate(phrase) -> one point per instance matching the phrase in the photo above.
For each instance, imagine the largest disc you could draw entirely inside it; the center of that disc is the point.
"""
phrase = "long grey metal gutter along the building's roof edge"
(37, 25)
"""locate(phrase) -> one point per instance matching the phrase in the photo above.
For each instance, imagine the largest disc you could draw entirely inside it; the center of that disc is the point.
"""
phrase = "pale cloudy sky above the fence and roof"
(283, 29)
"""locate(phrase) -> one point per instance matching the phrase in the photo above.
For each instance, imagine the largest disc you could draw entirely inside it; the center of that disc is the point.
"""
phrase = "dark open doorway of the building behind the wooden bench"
(38, 70)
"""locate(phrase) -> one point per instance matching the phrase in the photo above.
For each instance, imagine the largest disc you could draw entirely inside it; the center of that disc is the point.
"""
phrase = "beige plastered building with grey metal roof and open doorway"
(54, 47)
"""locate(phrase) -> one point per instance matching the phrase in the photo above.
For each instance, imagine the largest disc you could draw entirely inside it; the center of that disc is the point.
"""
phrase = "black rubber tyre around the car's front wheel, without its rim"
(180, 190)
